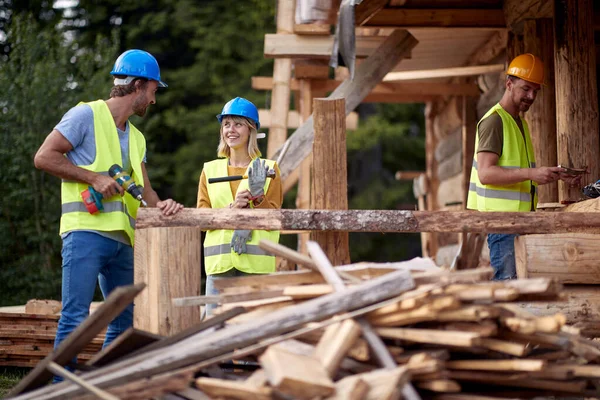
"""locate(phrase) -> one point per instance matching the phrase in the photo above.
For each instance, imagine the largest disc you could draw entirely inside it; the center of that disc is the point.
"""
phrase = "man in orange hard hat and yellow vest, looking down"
(504, 176)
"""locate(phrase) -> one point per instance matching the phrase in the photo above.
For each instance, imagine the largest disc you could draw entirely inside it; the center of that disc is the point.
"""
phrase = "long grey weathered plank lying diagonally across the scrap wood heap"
(235, 337)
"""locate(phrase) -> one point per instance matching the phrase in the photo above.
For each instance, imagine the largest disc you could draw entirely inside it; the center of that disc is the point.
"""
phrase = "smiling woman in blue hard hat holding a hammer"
(230, 253)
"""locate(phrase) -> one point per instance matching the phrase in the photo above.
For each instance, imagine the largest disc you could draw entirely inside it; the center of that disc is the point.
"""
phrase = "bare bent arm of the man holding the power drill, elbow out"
(50, 158)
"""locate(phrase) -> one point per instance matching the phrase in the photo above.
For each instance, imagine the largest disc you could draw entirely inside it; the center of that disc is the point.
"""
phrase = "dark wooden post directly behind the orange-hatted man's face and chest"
(541, 117)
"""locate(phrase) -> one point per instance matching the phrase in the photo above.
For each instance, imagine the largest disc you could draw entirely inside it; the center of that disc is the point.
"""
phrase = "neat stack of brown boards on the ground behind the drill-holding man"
(26, 339)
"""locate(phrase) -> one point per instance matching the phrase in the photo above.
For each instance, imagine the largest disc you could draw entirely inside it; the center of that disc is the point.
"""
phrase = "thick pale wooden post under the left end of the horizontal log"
(168, 261)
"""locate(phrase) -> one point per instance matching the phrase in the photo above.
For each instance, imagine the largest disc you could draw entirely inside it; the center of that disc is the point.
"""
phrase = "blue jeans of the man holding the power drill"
(87, 258)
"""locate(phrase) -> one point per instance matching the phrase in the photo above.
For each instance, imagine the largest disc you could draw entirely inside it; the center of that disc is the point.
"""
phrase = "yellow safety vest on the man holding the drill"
(119, 212)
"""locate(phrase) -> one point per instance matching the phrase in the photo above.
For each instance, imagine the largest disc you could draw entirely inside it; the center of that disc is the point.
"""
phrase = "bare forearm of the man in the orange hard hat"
(491, 174)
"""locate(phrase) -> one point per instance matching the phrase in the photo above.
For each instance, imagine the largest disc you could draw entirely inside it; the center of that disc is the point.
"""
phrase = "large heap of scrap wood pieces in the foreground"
(379, 332)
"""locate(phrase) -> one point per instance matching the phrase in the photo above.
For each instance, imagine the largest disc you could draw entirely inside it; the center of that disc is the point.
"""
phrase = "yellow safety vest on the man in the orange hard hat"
(517, 152)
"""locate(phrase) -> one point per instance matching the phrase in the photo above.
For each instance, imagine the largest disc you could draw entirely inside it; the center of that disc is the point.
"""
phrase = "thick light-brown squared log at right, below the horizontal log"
(568, 257)
